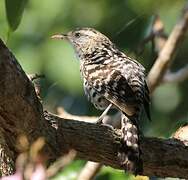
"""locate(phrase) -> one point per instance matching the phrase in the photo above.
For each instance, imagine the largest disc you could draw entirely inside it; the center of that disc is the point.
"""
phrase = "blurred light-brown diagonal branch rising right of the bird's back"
(166, 54)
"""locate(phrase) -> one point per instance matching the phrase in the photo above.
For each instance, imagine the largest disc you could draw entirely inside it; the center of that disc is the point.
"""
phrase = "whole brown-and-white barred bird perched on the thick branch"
(112, 79)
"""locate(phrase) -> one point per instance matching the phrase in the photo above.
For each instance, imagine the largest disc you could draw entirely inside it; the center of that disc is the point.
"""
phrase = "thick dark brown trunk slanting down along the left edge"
(20, 113)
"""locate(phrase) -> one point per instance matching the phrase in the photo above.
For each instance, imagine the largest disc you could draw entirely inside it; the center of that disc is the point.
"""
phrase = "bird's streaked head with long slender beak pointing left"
(85, 40)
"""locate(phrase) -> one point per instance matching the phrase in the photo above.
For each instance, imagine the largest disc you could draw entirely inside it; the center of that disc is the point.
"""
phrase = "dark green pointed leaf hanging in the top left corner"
(14, 11)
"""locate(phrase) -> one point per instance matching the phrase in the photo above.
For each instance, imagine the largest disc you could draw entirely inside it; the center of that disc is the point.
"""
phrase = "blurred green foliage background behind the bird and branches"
(126, 22)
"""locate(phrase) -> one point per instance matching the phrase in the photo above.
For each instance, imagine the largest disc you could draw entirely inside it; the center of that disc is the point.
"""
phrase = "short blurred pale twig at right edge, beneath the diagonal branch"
(179, 76)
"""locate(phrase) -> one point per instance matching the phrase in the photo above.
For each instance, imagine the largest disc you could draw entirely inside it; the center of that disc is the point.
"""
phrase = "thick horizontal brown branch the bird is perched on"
(96, 143)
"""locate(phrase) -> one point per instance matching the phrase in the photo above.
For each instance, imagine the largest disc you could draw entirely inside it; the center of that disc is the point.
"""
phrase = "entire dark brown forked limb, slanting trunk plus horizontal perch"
(21, 113)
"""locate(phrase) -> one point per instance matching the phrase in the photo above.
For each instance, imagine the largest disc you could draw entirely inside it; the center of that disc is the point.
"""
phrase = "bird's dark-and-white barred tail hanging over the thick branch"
(130, 152)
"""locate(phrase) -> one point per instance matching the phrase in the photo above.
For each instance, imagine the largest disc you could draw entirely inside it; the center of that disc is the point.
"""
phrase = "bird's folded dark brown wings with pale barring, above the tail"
(126, 95)
